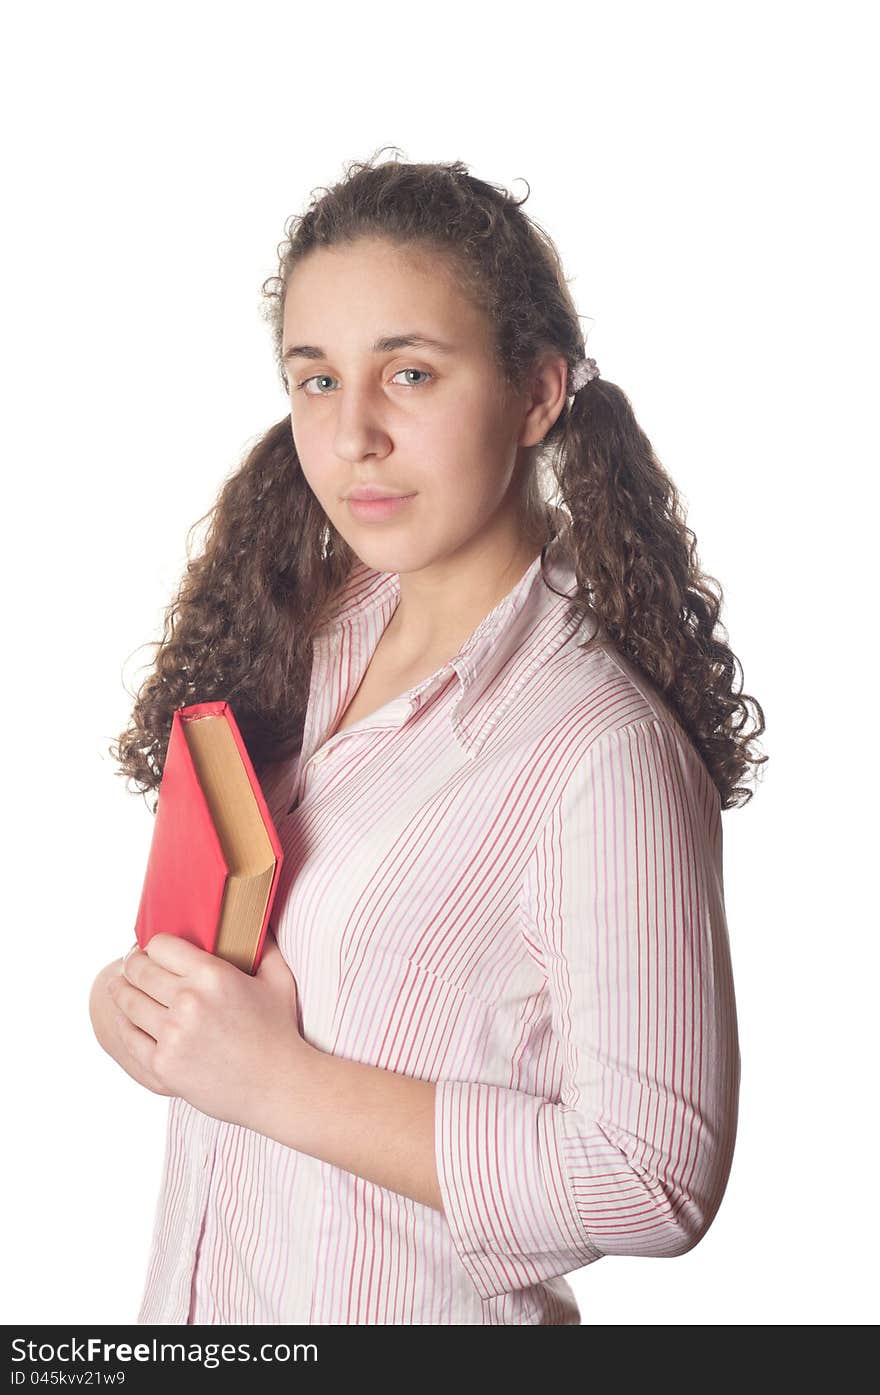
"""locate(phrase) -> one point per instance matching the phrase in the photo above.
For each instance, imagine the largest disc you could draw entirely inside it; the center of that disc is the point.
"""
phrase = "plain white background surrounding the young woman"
(706, 174)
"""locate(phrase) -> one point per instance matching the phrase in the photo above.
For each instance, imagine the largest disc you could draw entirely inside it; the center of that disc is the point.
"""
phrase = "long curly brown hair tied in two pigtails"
(242, 624)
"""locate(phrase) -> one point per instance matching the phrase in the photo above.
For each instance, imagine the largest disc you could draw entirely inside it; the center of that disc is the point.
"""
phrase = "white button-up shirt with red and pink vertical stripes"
(507, 881)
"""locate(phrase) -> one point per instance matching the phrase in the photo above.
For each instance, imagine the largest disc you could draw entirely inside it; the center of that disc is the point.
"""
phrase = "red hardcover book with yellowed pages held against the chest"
(215, 856)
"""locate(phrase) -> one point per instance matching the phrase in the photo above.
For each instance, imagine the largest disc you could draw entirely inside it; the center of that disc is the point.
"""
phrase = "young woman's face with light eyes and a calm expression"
(437, 426)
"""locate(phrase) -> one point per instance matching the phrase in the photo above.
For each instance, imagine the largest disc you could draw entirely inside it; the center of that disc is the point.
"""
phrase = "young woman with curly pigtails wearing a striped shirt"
(458, 613)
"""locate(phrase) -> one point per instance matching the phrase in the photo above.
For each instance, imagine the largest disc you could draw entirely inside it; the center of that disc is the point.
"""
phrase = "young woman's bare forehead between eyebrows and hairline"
(354, 295)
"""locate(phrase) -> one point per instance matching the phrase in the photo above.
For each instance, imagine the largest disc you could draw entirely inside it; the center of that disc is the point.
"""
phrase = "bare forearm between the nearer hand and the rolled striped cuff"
(370, 1122)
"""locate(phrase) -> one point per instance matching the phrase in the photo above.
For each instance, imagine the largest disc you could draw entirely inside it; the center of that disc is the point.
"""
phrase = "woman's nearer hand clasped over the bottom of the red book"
(208, 1032)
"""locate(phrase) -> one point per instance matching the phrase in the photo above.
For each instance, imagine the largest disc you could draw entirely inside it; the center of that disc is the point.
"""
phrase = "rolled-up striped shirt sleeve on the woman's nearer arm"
(623, 906)
